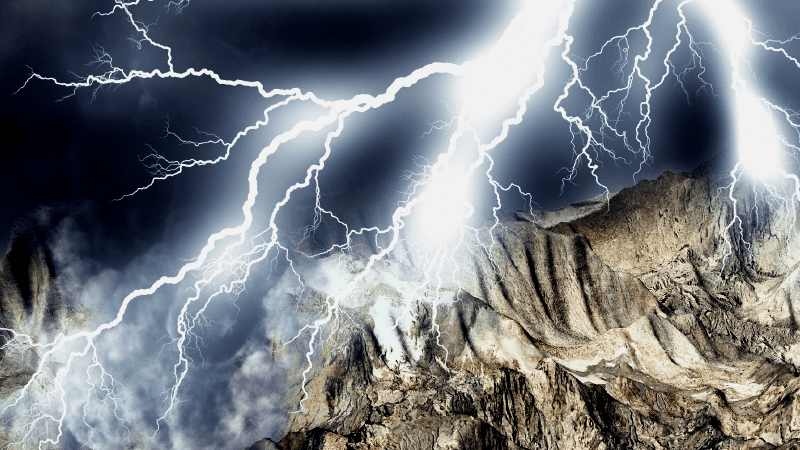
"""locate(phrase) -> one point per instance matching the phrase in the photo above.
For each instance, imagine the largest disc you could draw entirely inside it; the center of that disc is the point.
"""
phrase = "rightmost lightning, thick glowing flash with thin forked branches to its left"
(761, 147)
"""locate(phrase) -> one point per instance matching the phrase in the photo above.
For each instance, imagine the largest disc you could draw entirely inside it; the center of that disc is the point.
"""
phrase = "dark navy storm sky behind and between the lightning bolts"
(79, 154)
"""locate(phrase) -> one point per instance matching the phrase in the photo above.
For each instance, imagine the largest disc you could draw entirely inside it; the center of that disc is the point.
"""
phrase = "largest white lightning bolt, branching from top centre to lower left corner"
(439, 201)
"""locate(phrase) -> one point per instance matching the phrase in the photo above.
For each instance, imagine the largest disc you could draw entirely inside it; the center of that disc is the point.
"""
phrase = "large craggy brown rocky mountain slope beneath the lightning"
(634, 326)
